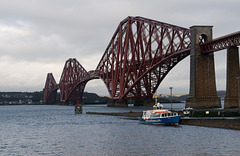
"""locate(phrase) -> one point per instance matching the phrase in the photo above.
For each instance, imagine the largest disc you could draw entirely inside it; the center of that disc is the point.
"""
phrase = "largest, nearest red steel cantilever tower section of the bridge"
(139, 55)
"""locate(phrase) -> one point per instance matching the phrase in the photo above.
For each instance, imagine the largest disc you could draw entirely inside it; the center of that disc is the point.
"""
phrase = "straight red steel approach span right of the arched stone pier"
(221, 43)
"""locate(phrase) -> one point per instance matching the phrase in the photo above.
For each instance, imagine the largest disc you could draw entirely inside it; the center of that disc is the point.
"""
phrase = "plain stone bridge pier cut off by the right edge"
(231, 99)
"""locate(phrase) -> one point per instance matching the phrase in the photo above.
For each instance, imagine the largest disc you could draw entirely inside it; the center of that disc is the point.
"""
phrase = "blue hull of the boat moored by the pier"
(173, 120)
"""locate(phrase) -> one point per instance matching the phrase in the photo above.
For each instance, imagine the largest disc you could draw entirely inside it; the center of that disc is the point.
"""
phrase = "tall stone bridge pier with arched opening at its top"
(203, 92)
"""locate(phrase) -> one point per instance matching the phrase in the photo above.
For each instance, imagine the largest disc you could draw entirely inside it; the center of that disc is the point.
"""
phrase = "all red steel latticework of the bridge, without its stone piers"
(138, 57)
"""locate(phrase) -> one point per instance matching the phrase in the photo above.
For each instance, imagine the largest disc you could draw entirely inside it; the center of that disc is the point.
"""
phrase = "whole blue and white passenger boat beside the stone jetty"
(159, 116)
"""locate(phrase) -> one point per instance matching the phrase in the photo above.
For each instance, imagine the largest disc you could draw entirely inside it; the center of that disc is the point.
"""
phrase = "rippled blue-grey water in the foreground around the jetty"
(56, 130)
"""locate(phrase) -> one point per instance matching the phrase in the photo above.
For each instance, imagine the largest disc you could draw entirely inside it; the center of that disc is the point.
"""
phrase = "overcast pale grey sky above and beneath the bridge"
(38, 36)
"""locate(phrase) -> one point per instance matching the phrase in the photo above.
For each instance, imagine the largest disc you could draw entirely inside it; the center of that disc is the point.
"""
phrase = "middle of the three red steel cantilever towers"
(73, 80)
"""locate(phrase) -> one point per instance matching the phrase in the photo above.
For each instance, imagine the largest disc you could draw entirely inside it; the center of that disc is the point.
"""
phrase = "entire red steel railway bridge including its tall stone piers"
(139, 56)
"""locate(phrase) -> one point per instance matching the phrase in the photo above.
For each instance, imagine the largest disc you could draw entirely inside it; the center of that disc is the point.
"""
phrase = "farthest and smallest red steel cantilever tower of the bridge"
(50, 89)
